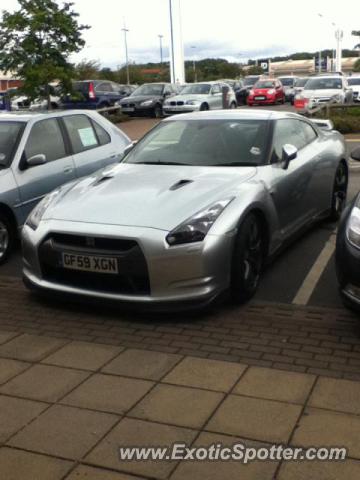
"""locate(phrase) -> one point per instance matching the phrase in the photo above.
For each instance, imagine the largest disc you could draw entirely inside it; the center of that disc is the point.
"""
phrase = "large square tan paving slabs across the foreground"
(66, 407)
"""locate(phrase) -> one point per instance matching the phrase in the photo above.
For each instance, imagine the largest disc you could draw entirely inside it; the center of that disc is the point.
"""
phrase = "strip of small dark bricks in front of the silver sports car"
(312, 340)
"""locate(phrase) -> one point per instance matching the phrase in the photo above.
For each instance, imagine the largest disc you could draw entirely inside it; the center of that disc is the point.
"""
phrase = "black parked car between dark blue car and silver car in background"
(148, 99)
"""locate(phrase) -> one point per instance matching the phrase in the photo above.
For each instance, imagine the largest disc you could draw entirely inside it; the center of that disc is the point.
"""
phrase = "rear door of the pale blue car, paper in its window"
(91, 144)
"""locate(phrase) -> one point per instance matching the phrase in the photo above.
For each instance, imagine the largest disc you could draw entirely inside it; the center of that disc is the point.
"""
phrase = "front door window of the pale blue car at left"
(46, 138)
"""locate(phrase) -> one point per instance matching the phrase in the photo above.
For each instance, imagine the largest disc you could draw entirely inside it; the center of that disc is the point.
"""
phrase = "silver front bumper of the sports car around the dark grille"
(192, 273)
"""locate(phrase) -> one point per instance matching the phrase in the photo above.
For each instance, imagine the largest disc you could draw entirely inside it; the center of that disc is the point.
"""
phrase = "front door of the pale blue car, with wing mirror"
(44, 138)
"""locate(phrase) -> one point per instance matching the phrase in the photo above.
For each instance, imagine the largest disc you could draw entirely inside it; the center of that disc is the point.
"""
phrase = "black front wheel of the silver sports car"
(247, 261)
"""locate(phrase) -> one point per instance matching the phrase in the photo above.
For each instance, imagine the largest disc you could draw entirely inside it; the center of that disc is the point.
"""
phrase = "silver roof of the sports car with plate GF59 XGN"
(230, 114)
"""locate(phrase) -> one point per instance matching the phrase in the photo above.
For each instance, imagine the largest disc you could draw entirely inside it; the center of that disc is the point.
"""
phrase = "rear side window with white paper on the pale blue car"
(81, 132)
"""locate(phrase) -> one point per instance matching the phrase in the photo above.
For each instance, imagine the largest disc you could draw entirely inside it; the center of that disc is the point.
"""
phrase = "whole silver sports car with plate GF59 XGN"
(193, 210)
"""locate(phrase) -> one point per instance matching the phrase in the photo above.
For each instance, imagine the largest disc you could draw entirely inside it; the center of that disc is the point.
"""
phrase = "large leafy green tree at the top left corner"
(36, 42)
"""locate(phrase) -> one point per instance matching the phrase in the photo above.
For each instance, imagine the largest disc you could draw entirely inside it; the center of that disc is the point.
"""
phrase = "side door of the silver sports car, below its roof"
(292, 189)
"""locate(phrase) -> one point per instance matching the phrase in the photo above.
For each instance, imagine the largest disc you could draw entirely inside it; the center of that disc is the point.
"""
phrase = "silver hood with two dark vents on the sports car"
(155, 196)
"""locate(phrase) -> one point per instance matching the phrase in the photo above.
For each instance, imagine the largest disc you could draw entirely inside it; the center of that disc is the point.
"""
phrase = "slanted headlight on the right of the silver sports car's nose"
(195, 228)
